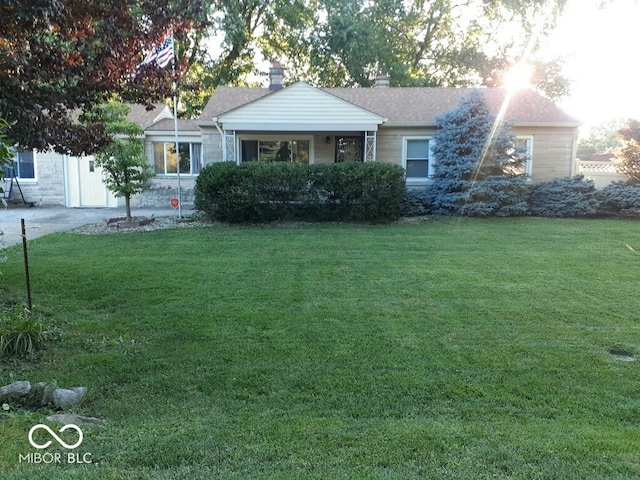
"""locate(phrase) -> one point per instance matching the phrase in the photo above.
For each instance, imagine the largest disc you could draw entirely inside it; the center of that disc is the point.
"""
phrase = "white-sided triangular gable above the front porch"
(300, 107)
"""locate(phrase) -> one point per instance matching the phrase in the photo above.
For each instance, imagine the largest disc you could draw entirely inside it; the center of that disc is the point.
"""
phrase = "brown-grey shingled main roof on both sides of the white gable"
(410, 105)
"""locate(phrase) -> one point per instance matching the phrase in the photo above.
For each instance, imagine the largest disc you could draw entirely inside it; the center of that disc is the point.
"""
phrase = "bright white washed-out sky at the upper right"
(600, 47)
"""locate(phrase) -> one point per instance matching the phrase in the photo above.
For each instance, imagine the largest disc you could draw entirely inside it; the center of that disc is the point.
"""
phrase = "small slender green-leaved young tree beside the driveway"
(126, 170)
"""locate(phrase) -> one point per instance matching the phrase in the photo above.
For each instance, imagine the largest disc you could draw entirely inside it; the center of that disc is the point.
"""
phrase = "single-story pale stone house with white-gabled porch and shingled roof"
(302, 123)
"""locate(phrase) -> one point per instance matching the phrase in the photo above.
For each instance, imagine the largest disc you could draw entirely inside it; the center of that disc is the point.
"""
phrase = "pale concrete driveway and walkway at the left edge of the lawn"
(40, 221)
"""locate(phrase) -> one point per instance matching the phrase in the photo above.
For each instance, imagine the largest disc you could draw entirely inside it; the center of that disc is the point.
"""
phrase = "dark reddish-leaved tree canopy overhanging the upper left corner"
(60, 58)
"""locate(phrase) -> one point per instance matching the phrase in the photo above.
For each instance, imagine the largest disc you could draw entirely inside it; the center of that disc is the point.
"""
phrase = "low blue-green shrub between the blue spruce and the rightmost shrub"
(564, 197)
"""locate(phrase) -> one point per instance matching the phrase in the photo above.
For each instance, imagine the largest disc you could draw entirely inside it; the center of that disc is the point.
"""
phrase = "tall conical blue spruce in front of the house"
(478, 171)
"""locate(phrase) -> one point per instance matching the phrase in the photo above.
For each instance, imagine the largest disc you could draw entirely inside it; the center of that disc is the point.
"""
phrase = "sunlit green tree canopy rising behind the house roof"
(418, 42)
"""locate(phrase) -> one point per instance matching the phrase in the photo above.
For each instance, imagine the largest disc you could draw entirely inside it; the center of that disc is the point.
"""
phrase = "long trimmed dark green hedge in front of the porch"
(264, 192)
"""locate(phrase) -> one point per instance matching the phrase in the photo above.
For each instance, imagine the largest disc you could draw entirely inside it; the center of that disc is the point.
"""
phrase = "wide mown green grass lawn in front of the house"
(454, 348)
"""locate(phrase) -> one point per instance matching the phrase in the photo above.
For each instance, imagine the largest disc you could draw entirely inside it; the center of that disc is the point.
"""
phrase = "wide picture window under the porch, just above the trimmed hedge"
(296, 151)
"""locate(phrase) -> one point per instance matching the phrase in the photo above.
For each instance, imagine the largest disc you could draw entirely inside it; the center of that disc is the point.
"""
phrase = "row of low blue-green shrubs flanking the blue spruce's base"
(562, 197)
